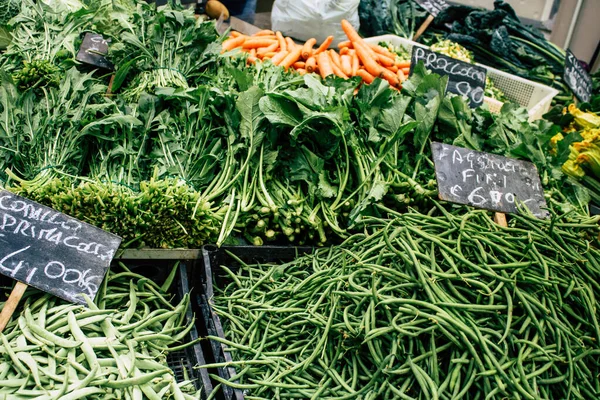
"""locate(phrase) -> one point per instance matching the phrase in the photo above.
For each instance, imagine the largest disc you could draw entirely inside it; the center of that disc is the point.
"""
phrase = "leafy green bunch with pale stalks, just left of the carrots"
(166, 47)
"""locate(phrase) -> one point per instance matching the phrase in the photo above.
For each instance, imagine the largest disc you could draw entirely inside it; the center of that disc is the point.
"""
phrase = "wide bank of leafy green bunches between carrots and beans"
(194, 147)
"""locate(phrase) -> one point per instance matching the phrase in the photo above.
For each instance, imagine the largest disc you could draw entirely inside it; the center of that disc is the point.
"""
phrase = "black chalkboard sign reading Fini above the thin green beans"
(487, 181)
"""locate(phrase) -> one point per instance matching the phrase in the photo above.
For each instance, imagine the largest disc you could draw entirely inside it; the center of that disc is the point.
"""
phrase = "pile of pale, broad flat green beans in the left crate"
(113, 349)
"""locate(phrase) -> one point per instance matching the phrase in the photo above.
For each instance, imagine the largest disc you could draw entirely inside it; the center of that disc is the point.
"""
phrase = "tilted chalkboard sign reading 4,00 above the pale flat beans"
(52, 251)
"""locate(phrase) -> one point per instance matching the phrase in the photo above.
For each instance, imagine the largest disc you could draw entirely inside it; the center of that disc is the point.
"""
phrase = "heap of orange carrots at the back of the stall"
(355, 57)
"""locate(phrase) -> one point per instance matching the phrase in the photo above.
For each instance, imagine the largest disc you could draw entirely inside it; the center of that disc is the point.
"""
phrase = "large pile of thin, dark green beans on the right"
(419, 306)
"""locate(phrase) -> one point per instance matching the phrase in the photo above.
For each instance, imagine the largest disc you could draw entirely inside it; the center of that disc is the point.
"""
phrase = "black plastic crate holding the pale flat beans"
(182, 362)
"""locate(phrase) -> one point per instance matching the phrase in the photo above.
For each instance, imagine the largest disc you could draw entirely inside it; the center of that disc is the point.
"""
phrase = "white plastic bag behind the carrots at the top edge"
(305, 19)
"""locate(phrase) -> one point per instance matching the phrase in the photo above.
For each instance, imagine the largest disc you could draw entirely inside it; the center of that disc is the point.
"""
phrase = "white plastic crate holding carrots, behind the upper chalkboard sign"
(535, 97)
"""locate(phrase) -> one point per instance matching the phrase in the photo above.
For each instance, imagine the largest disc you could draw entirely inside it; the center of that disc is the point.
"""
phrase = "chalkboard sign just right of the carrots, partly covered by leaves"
(463, 78)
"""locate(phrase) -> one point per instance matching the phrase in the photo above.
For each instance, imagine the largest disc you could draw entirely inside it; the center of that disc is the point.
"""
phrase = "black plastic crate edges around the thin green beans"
(209, 273)
